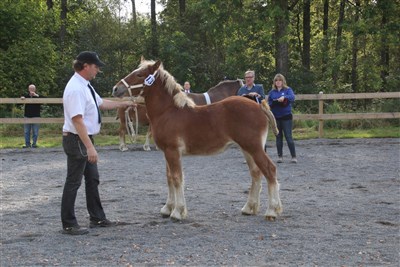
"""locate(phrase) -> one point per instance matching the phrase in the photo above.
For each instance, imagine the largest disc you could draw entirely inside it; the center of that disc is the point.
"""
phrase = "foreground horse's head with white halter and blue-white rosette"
(134, 82)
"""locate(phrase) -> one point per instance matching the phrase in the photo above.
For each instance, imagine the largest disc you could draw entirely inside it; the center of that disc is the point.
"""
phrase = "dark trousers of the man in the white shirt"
(77, 167)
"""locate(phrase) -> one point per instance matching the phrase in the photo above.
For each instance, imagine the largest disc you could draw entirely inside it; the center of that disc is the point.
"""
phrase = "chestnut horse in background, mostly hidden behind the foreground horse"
(222, 90)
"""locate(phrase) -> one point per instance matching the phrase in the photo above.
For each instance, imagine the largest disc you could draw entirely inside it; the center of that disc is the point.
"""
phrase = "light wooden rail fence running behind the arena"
(321, 117)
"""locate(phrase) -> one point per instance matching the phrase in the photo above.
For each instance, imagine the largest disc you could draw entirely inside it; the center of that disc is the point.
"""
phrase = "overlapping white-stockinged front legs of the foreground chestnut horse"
(175, 186)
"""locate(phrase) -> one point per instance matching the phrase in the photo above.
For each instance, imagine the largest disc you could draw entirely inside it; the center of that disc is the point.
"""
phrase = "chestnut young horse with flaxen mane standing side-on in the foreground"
(182, 128)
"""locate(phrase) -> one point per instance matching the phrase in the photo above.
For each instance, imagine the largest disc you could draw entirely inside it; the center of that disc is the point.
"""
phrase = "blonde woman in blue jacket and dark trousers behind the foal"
(280, 99)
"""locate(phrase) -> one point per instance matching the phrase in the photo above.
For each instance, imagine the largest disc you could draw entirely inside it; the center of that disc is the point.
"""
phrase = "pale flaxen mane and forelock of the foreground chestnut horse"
(173, 88)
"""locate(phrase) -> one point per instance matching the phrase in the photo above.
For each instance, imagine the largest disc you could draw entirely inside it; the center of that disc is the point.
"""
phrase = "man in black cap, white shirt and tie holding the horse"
(82, 120)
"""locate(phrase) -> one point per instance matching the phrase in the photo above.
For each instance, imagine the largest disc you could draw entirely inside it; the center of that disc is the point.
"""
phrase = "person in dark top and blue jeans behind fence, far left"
(31, 111)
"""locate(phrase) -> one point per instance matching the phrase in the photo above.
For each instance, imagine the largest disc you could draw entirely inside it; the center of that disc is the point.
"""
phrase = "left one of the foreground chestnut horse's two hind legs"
(253, 201)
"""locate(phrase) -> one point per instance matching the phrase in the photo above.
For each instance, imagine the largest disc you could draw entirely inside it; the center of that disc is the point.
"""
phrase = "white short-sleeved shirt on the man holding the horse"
(78, 100)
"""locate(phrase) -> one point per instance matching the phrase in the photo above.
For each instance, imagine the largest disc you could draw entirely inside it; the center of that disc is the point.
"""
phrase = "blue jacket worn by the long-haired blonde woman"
(281, 109)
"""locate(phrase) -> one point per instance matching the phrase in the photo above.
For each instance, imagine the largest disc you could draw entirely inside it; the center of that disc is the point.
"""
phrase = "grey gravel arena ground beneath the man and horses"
(341, 208)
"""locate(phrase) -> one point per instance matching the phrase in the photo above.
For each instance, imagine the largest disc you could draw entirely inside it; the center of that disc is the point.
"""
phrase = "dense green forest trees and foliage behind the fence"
(340, 46)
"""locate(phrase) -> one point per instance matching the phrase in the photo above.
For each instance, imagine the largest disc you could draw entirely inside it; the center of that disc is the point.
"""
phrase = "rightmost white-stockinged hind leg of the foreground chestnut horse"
(268, 168)
